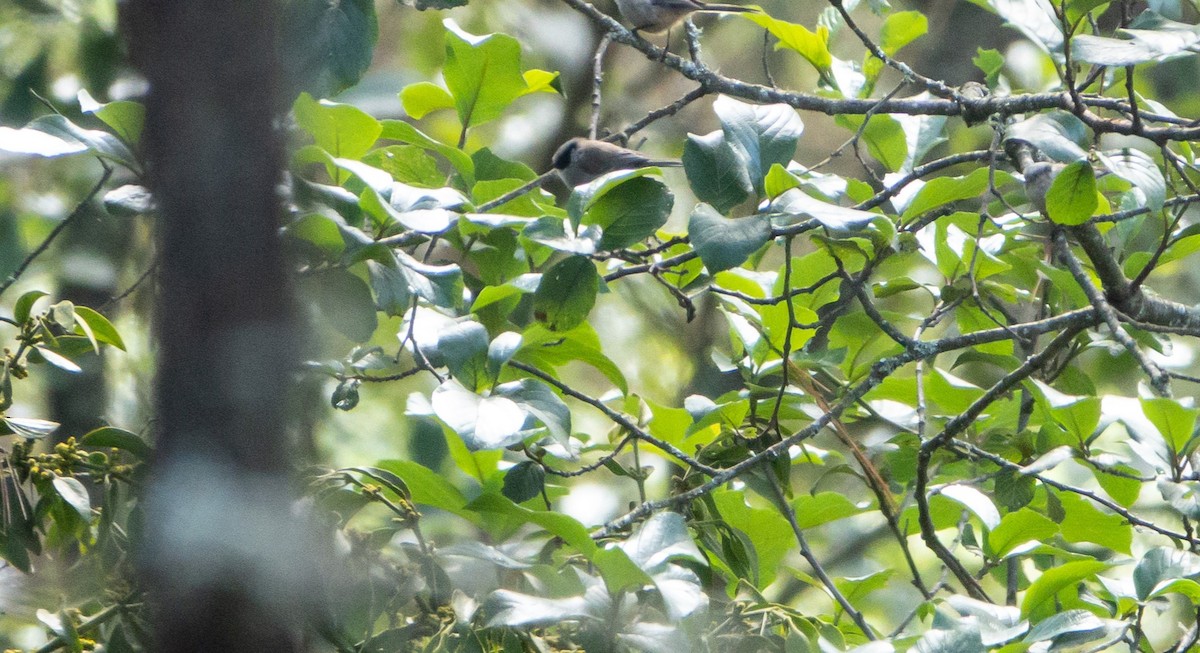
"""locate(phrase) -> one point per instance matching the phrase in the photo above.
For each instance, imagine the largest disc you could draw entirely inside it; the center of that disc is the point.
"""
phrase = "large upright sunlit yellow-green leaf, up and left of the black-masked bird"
(483, 74)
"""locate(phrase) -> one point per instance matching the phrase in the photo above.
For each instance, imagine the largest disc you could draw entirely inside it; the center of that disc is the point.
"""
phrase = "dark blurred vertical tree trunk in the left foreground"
(226, 336)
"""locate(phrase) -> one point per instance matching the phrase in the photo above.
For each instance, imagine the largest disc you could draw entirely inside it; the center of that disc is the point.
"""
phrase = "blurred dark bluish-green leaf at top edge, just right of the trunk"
(327, 47)
